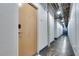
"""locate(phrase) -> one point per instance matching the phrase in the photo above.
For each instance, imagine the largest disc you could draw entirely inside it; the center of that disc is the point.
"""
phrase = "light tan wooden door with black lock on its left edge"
(27, 30)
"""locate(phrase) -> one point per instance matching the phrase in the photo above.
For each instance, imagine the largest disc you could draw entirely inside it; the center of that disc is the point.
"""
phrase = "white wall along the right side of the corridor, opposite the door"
(73, 28)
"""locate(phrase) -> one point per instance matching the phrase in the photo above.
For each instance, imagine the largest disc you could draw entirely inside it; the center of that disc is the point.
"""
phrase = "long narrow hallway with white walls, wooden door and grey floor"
(42, 29)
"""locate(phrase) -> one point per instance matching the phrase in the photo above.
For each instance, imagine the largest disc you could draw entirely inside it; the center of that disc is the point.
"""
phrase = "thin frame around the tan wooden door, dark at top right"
(36, 31)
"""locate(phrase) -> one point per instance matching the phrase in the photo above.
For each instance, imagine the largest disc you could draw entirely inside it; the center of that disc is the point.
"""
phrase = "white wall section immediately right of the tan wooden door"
(41, 27)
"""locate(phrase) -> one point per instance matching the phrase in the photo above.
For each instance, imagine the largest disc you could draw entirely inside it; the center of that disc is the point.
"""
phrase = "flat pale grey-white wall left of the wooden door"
(8, 29)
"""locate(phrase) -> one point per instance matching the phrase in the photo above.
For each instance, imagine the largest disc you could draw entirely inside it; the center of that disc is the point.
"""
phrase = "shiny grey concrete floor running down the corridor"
(60, 47)
